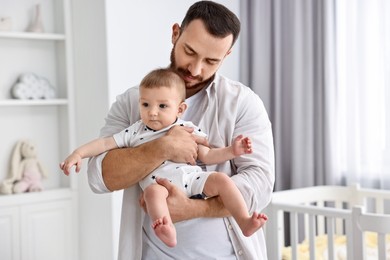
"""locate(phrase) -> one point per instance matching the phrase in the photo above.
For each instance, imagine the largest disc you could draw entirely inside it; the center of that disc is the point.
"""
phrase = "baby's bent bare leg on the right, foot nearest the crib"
(220, 184)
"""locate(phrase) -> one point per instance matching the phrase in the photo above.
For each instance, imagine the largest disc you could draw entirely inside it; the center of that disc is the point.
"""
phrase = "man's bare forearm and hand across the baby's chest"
(122, 168)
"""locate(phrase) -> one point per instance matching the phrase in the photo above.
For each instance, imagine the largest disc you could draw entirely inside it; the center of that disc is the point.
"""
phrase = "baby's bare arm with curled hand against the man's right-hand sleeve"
(241, 145)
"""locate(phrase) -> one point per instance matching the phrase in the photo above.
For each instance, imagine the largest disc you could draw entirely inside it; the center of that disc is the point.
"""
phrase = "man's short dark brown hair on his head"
(218, 20)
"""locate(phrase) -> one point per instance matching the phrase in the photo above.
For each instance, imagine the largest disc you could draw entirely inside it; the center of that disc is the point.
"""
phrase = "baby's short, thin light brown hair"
(164, 77)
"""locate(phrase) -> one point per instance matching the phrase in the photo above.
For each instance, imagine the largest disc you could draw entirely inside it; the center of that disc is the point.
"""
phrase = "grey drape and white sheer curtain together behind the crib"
(322, 69)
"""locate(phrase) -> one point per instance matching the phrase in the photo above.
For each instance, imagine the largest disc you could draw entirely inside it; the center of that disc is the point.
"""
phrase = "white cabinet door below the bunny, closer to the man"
(47, 231)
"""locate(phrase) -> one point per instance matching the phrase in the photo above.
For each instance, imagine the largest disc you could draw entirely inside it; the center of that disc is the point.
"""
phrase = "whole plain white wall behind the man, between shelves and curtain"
(116, 43)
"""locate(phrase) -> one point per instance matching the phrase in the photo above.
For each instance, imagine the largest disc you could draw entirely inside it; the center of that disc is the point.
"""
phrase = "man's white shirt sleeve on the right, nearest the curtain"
(255, 172)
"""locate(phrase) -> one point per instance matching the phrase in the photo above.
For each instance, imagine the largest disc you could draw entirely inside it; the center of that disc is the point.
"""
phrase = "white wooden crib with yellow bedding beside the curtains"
(329, 222)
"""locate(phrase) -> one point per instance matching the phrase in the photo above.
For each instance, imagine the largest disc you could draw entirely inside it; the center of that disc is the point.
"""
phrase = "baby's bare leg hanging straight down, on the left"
(155, 197)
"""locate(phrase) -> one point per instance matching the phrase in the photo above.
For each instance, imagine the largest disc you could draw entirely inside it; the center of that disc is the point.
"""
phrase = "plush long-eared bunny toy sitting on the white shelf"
(26, 170)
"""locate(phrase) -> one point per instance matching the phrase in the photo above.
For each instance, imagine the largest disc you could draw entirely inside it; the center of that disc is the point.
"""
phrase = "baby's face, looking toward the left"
(159, 107)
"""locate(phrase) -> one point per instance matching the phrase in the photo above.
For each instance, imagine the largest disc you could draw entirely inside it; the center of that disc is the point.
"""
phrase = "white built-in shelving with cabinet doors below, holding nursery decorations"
(39, 225)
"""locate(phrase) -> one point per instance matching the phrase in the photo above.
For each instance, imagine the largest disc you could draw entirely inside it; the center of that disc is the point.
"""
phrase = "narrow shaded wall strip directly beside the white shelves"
(96, 236)
